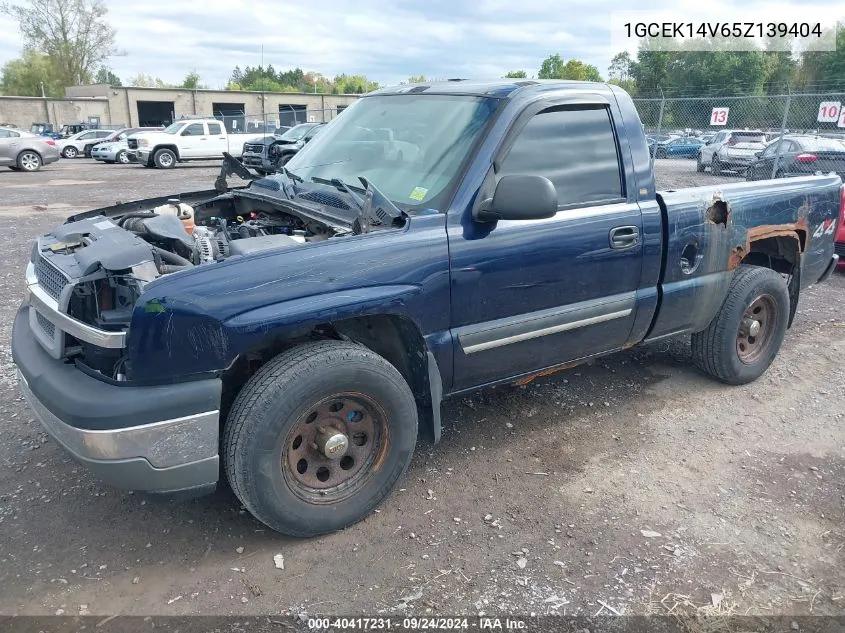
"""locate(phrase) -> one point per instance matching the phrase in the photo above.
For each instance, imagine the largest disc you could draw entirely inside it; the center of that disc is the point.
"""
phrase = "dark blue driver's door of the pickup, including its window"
(532, 294)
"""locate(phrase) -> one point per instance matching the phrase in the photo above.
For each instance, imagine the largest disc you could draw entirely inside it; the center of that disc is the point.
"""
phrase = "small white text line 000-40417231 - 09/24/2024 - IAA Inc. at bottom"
(481, 623)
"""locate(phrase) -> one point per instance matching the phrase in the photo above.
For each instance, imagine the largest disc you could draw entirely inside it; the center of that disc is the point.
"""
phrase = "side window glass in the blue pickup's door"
(575, 149)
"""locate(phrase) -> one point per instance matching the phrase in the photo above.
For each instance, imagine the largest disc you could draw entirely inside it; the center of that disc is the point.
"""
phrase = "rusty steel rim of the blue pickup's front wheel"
(333, 450)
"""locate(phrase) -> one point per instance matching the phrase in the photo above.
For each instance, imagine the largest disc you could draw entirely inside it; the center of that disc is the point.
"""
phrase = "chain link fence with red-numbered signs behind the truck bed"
(754, 137)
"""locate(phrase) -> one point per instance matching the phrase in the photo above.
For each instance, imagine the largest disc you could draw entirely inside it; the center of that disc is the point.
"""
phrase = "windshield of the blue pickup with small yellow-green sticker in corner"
(410, 146)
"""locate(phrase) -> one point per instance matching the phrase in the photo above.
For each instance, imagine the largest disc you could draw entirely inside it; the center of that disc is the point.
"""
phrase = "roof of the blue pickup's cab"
(502, 89)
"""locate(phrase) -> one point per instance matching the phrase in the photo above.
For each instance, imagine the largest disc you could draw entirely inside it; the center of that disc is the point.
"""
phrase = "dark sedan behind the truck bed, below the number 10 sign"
(799, 156)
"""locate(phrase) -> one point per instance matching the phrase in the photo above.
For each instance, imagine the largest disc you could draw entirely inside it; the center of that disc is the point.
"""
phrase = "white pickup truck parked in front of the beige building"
(188, 139)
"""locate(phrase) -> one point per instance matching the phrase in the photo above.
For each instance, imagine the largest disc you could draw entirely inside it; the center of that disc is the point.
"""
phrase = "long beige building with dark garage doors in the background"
(132, 107)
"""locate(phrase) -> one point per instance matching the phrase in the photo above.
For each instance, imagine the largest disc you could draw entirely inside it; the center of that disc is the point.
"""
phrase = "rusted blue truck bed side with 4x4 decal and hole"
(708, 231)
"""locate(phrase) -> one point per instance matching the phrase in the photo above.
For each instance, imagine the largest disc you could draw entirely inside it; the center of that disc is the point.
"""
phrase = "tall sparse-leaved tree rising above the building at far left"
(73, 33)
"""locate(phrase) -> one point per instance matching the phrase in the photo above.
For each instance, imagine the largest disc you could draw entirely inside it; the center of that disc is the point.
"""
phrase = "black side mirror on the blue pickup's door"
(520, 198)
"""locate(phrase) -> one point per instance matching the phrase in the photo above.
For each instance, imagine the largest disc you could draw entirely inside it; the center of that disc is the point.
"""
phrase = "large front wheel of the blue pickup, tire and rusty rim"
(279, 433)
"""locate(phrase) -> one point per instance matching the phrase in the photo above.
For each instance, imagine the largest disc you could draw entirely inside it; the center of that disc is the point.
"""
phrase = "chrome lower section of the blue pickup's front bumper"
(163, 444)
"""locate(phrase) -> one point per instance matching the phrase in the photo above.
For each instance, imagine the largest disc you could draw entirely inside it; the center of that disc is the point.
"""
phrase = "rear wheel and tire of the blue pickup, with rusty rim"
(744, 337)
